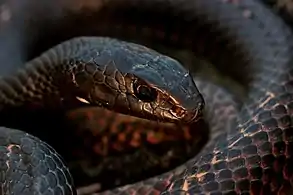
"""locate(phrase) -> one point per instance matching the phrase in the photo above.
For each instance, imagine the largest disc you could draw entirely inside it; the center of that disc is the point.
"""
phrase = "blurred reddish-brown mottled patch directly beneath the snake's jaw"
(124, 131)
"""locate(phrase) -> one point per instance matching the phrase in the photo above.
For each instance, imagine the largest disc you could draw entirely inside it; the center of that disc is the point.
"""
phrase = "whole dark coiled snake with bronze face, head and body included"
(239, 37)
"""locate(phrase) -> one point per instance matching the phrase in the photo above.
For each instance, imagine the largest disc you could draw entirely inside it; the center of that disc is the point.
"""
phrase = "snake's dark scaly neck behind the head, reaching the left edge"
(45, 82)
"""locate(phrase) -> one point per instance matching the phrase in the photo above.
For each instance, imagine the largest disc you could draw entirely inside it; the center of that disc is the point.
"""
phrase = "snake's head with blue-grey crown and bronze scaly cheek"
(134, 80)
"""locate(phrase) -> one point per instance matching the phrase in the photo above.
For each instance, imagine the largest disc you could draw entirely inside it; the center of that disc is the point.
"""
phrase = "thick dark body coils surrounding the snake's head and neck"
(252, 158)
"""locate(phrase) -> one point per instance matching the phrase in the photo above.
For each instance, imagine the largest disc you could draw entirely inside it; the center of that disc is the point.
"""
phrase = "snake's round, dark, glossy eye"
(144, 92)
